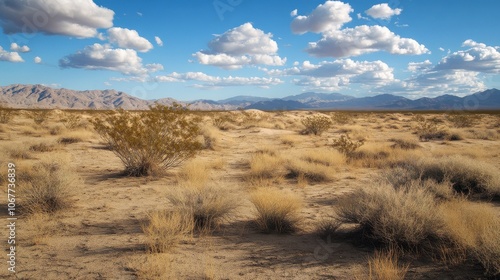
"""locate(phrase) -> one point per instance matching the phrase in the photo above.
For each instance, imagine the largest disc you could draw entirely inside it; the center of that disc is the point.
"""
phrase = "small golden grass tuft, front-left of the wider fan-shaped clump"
(165, 229)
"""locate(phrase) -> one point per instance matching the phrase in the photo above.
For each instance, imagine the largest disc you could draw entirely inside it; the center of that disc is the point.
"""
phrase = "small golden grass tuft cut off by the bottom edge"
(384, 265)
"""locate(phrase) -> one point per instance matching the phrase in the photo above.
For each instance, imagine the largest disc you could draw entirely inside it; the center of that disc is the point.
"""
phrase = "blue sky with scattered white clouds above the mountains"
(215, 49)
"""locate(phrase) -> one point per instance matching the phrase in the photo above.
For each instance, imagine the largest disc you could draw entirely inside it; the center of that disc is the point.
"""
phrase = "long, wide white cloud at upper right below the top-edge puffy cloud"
(363, 39)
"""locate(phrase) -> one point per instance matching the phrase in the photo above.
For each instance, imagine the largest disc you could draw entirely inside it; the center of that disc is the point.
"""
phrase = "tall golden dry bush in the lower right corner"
(475, 229)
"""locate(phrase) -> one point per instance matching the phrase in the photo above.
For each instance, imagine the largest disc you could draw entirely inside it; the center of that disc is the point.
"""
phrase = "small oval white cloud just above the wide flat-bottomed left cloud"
(127, 38)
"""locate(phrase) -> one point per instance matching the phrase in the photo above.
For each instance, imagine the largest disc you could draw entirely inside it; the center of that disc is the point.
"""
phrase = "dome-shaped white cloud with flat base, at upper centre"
(240, 46)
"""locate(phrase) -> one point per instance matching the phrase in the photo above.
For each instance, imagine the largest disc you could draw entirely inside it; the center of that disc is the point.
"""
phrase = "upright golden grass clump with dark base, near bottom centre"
(277, 211)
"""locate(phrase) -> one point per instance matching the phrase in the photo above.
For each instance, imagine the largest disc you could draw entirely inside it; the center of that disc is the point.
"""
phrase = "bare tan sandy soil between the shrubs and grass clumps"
(100, 236)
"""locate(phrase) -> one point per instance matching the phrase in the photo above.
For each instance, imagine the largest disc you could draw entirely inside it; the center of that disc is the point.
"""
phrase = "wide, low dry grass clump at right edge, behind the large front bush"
(467, 176)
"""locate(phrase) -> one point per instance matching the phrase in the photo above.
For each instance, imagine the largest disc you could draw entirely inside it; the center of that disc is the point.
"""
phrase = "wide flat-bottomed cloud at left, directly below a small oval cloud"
(103, 57)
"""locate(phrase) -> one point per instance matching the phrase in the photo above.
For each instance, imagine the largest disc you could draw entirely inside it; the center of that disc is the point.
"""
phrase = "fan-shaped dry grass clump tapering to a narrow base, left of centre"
(206, 206)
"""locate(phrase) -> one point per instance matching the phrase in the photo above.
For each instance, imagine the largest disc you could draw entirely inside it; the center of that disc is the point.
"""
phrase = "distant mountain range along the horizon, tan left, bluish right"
(40, 96)
